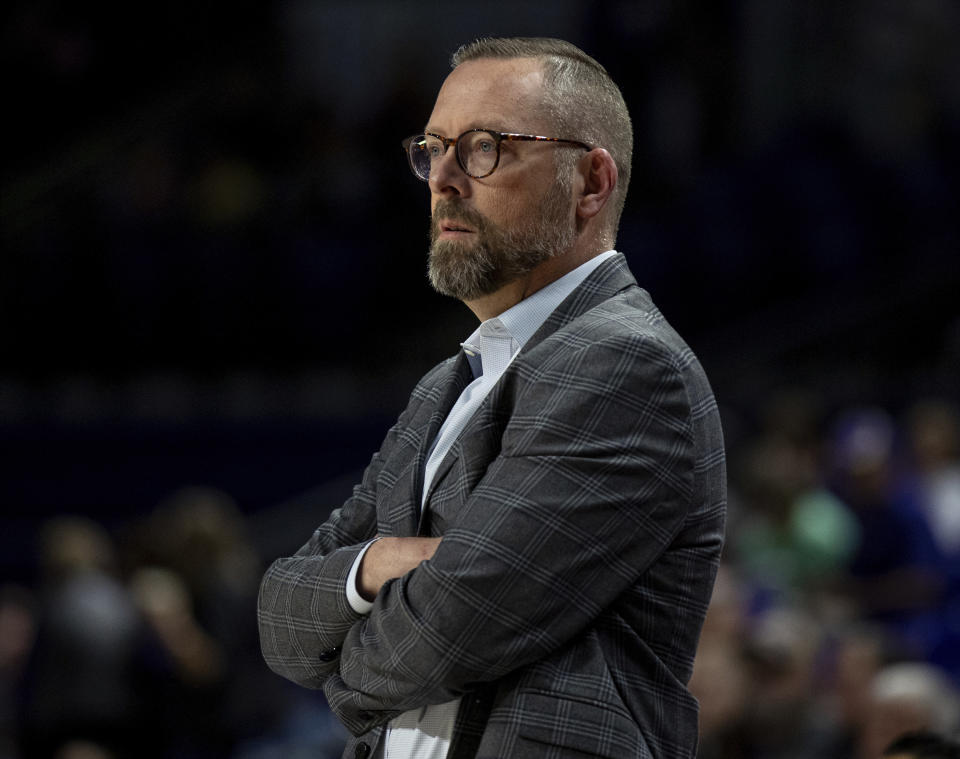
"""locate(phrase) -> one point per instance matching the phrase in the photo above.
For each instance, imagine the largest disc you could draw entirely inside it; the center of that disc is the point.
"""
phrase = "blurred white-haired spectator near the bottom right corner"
(908, 697)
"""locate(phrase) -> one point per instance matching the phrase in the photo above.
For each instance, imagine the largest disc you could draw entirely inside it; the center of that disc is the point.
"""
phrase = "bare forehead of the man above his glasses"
(503, 94)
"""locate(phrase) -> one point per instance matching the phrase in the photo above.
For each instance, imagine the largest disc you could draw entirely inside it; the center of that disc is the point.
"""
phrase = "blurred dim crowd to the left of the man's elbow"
(145, 644)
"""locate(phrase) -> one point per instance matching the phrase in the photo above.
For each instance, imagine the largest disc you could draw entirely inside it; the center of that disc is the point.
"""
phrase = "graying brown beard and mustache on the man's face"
(495, 257)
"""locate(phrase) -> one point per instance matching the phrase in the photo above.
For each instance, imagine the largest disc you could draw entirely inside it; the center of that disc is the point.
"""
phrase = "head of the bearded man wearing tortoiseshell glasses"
(545, 199)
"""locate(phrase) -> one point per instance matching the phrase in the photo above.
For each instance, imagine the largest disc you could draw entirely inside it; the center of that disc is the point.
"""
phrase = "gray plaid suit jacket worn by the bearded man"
(582, 514)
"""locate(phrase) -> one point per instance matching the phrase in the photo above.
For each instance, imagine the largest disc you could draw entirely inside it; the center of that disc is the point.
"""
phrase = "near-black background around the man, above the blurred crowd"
(213, 253)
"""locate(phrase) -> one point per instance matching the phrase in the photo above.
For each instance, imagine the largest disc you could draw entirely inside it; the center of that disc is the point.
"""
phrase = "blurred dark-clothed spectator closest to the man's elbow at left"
(208, 595)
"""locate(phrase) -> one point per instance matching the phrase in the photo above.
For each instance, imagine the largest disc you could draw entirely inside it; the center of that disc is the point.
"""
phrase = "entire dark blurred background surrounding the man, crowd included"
(213, 304)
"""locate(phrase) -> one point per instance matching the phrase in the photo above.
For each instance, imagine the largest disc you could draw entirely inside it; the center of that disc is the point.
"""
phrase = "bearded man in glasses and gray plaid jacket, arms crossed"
(547, 513)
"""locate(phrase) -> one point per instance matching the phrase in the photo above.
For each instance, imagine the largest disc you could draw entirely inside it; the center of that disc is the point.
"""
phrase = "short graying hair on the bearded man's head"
(580, 97)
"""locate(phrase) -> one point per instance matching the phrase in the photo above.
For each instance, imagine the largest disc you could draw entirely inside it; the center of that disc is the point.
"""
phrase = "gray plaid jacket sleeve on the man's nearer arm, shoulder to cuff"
(593, 481)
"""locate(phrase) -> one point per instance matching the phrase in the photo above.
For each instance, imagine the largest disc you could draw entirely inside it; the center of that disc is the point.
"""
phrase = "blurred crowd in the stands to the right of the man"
(835, 622)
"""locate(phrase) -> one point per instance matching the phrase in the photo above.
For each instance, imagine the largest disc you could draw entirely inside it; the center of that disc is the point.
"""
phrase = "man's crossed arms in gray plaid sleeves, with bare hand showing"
(590, 485)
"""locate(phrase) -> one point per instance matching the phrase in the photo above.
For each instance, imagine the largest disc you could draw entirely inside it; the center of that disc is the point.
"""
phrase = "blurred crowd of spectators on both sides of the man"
(834, 627)
